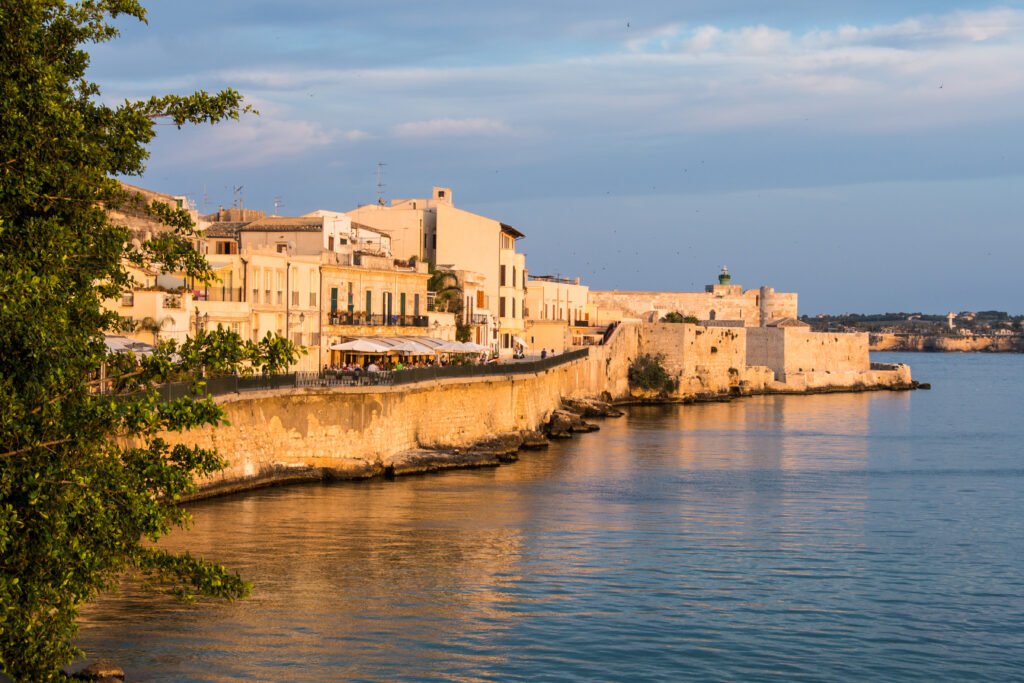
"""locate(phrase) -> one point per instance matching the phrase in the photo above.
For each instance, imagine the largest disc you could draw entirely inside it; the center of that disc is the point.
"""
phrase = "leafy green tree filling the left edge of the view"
(87, 484)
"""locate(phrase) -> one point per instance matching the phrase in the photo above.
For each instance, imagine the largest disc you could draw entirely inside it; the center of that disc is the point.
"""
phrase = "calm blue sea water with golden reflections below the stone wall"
(845, 537)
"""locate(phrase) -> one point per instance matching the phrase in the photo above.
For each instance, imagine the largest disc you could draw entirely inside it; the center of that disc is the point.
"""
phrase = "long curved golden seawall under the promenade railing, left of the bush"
(358, 432)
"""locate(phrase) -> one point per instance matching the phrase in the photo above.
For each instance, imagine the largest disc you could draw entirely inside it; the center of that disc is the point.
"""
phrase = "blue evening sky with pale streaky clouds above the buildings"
(867, 155)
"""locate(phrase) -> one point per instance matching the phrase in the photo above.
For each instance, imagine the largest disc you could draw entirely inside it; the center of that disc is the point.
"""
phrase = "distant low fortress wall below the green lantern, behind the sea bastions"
(722, 303)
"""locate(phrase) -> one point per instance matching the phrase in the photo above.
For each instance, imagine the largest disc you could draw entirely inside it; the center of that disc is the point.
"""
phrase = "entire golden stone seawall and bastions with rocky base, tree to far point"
(426, 420)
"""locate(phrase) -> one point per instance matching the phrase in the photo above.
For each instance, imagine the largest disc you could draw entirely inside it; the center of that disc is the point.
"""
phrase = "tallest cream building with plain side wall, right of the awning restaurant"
(434, 230)
